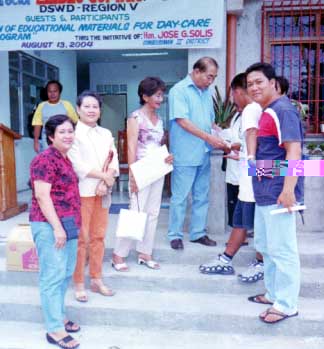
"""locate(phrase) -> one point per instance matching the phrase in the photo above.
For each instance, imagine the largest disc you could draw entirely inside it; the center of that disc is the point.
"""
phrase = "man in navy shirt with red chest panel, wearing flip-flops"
(279, 138)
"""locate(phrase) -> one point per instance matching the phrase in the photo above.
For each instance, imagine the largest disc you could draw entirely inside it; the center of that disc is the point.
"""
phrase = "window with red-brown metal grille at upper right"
(293, 43)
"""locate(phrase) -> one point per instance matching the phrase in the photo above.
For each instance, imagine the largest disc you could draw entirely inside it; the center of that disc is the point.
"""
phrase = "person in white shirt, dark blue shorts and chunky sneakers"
(244, 211)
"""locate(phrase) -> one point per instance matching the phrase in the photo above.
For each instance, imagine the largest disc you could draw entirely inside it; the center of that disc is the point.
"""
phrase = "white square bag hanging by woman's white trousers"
(131, 224)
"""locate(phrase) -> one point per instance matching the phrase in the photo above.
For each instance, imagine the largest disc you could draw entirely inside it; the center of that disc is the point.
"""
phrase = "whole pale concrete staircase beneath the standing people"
(175, 307)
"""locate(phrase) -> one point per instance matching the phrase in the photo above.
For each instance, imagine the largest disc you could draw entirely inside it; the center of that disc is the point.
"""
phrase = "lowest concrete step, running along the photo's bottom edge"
(108, 337)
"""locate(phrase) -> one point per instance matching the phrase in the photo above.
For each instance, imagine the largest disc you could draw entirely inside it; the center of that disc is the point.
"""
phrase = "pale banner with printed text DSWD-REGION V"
(110, 24)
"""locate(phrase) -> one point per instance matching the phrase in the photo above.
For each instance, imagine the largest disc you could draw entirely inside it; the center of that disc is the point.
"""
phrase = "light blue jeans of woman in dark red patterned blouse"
(56, 269)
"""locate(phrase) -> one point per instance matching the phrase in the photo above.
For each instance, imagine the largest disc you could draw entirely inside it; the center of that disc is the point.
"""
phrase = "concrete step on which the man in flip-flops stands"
(171, 310)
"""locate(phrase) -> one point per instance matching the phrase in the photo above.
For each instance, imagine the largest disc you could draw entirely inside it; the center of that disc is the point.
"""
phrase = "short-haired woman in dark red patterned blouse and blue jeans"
(55, 200)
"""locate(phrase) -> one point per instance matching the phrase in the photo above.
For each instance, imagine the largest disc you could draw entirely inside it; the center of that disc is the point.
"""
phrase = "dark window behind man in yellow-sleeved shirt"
(28, 75)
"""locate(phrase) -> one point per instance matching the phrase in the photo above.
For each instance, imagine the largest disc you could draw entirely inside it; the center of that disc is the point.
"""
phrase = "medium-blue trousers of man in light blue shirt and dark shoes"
(185, 179)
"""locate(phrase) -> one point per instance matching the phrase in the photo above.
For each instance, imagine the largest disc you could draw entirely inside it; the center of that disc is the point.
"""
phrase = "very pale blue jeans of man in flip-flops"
(275, 238)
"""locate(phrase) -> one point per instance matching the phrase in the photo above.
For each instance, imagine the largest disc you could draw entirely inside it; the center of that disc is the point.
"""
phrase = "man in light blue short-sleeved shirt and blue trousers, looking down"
(191, 119)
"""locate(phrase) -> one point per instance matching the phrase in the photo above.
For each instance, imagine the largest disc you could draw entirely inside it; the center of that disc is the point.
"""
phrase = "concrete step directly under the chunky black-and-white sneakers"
(176, 278)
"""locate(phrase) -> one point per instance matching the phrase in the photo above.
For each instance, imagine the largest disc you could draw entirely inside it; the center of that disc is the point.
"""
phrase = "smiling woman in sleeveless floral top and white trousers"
(144, 132)
